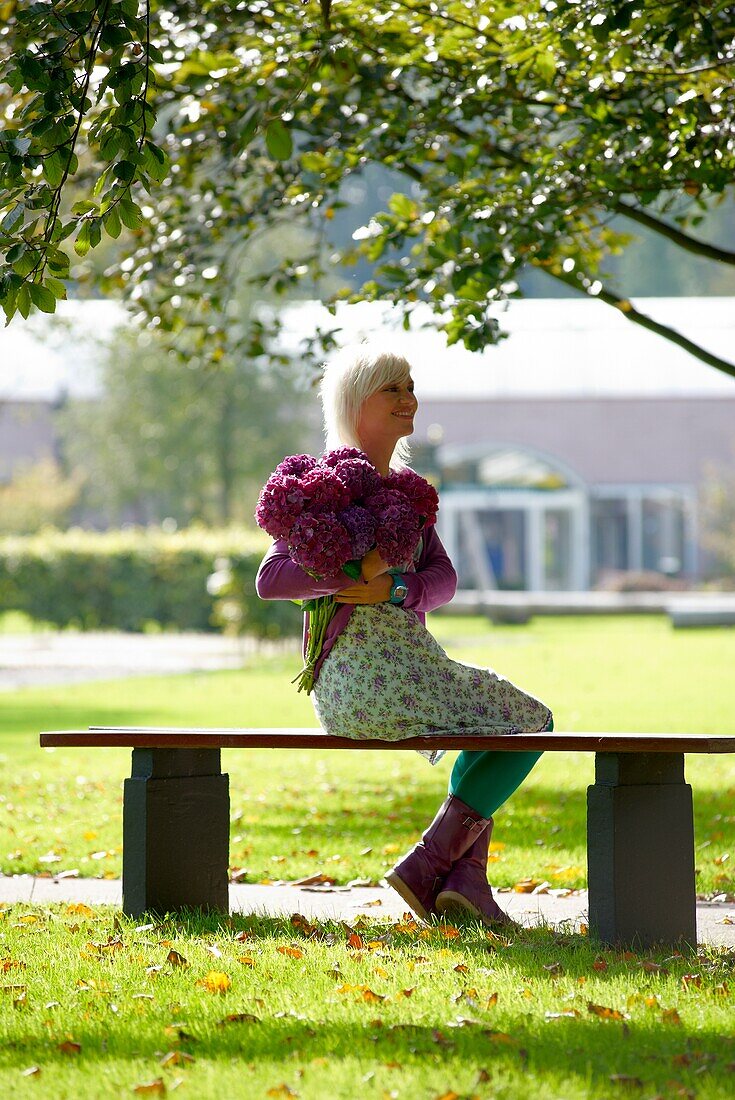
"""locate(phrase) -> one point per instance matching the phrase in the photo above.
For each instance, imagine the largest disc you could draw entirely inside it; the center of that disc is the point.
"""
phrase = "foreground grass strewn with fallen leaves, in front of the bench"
(94, 1005)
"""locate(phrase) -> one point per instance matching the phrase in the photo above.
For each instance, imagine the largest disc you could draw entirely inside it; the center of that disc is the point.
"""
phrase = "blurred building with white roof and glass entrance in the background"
(575, 452)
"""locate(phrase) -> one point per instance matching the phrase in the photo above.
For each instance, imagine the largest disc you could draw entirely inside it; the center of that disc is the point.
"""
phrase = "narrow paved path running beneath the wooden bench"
(716, 921)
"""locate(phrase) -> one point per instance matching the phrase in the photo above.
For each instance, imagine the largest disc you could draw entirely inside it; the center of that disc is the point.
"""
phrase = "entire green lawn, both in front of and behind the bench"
(93, 1005)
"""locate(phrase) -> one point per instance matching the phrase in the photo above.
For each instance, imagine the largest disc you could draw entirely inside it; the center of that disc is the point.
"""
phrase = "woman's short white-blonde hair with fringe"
(354, 376)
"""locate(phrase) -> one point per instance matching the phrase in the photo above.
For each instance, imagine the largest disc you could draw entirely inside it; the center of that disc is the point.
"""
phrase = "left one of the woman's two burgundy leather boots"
(420, 876)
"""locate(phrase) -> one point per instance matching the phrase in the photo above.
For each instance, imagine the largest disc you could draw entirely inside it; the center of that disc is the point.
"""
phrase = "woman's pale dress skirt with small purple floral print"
(388, 678)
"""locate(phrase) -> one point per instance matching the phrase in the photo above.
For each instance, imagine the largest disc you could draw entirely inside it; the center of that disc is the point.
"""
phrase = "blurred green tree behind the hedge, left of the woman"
(190, 431)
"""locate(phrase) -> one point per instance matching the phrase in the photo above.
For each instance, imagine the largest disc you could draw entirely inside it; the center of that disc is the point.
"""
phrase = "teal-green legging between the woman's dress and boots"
(486, 780)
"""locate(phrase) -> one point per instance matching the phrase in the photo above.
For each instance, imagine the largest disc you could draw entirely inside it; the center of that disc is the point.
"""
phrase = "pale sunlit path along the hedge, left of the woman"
(75, 657)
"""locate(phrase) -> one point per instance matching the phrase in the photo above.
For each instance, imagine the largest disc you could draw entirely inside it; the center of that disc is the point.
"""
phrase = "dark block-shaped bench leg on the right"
(641, 850)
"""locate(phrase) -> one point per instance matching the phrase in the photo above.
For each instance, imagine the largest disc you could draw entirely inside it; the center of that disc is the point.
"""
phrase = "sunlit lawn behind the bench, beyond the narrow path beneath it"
(349, 816)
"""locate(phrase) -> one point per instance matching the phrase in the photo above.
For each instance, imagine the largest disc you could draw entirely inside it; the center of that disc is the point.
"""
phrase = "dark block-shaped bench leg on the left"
(177, 832)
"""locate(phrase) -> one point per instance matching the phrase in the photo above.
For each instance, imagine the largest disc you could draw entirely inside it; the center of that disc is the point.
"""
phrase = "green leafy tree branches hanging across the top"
(521, 128)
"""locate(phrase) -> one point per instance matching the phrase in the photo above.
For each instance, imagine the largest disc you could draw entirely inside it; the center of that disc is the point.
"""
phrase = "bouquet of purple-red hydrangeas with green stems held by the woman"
(332, 512)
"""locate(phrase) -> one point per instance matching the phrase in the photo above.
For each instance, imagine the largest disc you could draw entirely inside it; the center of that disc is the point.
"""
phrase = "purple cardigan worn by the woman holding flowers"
(433, 585)
